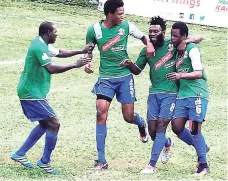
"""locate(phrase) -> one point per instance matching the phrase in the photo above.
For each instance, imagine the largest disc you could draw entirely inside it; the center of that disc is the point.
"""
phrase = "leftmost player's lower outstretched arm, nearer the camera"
(54, 69)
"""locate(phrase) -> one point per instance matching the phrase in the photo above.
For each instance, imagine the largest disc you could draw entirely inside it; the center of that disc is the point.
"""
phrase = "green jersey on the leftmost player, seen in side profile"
(35, 79)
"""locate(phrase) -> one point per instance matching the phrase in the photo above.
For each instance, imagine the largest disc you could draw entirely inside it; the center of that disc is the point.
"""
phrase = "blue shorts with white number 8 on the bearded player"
(160, 105)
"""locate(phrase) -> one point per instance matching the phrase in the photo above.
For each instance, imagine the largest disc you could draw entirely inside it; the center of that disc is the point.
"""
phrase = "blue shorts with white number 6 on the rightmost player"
(191, 108)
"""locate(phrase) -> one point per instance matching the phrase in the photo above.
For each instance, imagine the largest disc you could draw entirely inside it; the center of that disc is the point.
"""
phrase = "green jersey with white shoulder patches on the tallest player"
(112, 45)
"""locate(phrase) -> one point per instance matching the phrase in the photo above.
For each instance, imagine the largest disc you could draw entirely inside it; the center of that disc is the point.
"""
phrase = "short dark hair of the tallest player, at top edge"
(111, 6)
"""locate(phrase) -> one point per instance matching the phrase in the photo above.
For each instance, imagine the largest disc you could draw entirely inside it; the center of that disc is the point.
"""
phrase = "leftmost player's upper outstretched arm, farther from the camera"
(69, 53)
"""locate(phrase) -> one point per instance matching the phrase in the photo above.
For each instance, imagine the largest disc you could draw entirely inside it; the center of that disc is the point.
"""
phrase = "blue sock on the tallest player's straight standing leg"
(101, 132)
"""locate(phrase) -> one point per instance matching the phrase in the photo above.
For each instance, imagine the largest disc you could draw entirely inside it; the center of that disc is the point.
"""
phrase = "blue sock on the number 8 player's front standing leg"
(158, 145)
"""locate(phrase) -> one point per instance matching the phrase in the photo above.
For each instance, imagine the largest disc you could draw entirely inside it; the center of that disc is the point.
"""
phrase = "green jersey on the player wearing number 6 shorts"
(191, 88)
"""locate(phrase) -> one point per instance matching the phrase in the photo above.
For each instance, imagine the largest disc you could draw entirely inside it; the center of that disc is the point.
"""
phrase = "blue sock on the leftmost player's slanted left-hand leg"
(33, 137)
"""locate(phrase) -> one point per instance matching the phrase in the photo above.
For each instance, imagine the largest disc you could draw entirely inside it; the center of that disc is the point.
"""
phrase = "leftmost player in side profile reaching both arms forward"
(32, 89)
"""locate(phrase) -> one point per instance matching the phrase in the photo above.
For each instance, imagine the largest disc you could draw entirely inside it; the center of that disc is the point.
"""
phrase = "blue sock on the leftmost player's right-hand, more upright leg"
(50, 142)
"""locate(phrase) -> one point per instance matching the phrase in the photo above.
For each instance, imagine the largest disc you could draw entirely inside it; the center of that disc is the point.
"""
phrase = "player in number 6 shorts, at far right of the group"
(192, 98)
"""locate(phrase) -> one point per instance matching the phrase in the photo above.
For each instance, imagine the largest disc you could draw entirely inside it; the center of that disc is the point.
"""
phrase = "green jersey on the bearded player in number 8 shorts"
(162, 63)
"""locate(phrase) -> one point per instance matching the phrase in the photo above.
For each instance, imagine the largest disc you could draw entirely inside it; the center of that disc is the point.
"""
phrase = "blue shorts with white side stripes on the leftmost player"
(37, 110)
